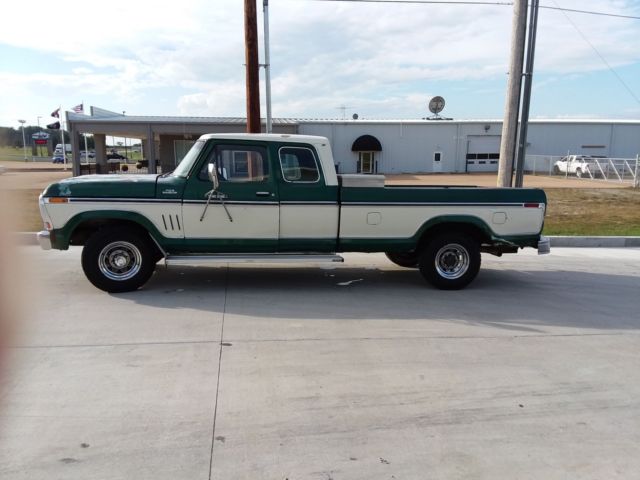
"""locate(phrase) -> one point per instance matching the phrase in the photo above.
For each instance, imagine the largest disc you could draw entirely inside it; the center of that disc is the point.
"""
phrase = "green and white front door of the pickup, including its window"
(250, 197)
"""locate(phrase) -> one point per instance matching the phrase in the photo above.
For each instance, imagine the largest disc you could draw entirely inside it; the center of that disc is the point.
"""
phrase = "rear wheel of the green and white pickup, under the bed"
(450, 261)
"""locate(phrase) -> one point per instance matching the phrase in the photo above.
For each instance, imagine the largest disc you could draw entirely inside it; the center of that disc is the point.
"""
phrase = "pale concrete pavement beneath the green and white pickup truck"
(359, 371)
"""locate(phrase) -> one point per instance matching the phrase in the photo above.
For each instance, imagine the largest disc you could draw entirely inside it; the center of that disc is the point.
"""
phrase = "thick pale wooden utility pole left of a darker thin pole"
(514, 85)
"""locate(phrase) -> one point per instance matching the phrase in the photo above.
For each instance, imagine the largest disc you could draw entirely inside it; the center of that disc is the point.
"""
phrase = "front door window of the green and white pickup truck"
(239, 163)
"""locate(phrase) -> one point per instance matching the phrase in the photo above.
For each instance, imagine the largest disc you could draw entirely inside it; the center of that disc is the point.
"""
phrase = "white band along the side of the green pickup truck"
(313, 221)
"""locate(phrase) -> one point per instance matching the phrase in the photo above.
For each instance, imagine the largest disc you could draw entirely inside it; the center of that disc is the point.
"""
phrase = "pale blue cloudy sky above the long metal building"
(381, 61)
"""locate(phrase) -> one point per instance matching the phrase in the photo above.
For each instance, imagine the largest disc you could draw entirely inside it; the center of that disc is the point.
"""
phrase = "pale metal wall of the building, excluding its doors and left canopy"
(409, 147)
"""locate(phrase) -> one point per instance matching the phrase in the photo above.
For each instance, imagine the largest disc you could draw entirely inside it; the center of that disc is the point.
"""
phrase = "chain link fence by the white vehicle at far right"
(622, 170)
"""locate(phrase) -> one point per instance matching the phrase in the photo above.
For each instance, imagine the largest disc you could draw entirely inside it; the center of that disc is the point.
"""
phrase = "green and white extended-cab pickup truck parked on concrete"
(277, 198)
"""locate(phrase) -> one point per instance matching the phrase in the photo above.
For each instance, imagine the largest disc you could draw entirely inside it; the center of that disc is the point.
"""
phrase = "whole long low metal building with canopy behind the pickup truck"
(368, 146)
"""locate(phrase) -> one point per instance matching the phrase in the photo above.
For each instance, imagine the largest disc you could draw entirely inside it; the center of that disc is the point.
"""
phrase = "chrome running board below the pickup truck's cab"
(213, 259)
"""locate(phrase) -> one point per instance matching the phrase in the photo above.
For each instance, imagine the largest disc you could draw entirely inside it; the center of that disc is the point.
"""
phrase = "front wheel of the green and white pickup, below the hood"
(118, 260)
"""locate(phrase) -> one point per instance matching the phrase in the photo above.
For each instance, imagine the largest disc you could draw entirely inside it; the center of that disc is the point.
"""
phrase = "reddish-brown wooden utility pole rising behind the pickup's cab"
(252, 66)
